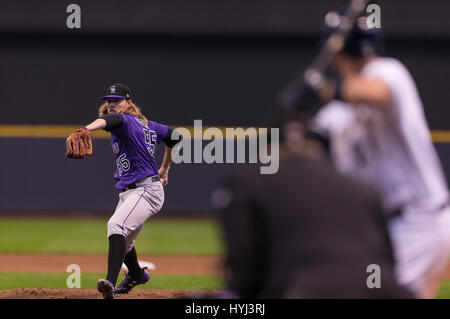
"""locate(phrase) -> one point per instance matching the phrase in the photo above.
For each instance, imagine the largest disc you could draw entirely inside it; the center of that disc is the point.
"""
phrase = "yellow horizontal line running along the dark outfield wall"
(62, 131)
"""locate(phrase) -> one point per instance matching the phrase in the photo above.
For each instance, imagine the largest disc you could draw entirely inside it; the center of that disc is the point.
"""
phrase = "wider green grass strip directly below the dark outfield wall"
(88, 236)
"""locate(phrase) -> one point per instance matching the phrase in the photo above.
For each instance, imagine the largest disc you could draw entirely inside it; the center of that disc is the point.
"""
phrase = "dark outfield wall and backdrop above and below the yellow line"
(219, 61)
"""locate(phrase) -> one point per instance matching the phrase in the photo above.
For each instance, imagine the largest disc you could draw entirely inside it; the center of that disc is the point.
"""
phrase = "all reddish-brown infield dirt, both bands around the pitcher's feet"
(42, 263)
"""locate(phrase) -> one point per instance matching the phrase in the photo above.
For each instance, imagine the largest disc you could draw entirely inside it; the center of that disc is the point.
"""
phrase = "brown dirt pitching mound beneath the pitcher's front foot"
(38, 293)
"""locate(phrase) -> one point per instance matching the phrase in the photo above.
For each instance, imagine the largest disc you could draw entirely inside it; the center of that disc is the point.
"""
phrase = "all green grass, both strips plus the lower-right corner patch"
(88, 236)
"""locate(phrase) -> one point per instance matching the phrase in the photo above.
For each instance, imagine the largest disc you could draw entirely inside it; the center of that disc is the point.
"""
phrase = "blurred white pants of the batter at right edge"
(422, 249)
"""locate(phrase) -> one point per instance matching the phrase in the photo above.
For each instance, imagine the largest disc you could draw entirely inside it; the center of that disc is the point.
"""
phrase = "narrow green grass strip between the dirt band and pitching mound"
(89, 281)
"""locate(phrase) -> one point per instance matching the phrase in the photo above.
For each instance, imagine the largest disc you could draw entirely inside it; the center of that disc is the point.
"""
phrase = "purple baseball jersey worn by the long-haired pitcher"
(134, 146)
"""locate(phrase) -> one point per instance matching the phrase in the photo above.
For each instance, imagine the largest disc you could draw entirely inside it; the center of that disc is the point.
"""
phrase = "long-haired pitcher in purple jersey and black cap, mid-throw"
(139, 181)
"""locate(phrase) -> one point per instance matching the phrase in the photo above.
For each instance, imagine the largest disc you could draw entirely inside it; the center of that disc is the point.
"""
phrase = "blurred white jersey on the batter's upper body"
(391, 149)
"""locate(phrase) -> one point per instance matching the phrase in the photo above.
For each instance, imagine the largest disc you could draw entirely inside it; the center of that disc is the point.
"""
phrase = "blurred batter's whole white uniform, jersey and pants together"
(392, 149)
